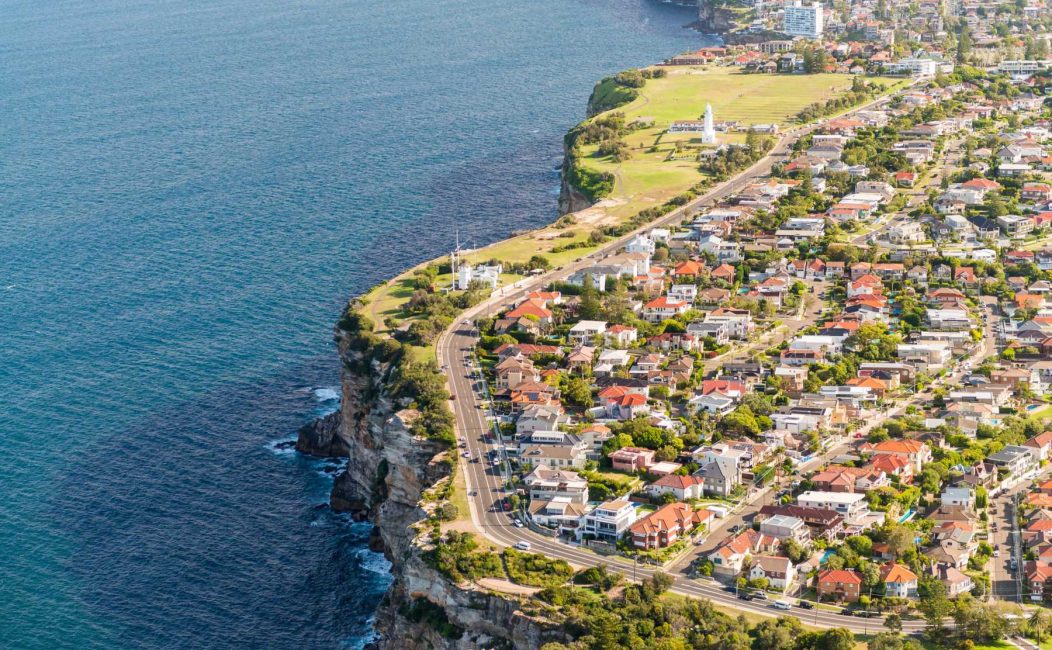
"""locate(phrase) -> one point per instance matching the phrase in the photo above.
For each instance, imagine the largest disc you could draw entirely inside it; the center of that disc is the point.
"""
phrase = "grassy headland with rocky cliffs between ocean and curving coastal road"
(399, 346)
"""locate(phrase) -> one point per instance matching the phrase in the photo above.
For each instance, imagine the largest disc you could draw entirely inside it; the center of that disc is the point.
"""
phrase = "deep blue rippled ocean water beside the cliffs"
(190, 190)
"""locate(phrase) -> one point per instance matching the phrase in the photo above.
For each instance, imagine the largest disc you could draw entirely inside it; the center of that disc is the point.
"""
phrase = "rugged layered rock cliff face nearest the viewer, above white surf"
(388, 473)
